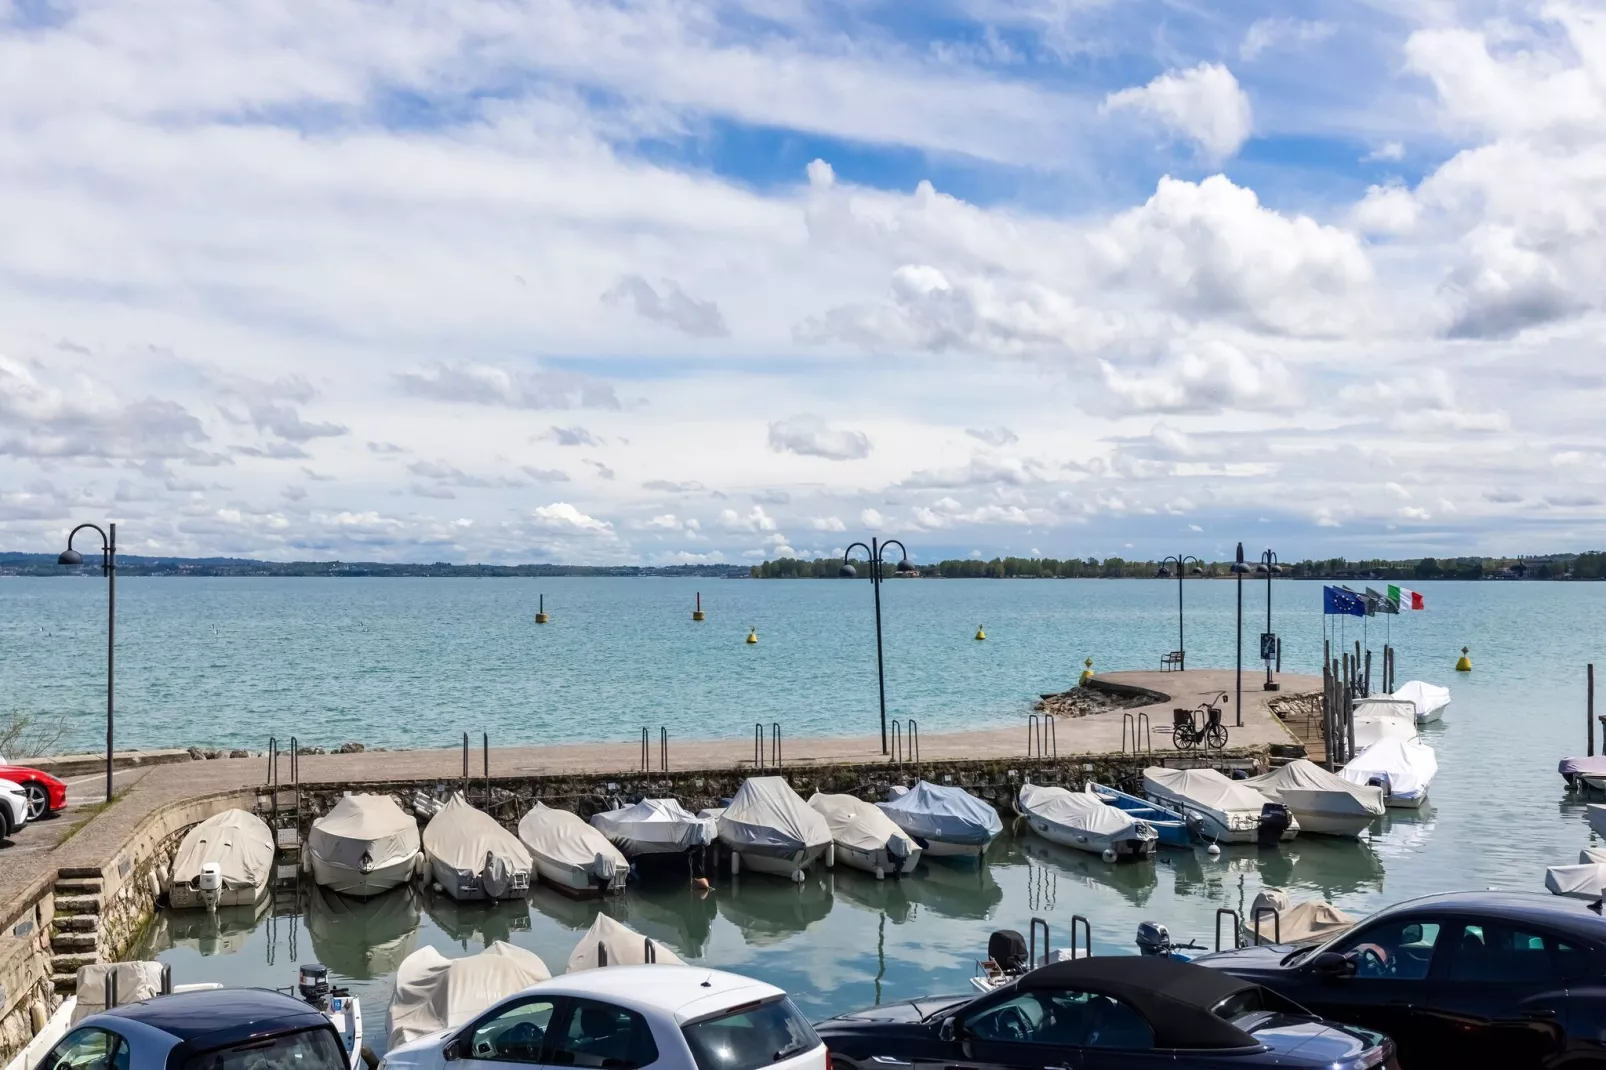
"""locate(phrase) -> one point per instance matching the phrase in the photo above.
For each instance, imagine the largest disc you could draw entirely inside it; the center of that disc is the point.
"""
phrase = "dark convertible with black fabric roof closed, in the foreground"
(1101, 1015)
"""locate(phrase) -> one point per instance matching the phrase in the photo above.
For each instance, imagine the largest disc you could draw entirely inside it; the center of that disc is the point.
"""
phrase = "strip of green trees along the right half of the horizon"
(1588, 566)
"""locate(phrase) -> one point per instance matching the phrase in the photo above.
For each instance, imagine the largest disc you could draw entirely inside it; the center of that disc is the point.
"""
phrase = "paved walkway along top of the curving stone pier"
(39, 849)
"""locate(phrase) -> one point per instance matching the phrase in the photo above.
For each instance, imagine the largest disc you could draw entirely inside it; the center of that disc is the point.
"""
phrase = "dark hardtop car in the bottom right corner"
(1467, 979)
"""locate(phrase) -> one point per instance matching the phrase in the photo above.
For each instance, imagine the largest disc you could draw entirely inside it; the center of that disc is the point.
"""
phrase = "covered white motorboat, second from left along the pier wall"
(364, 847)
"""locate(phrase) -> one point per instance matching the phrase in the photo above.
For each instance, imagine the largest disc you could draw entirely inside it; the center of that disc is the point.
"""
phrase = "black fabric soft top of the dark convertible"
(1176, 999)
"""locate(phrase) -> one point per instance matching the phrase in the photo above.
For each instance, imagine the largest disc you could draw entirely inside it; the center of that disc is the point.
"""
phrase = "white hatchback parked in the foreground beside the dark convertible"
(629, 1018)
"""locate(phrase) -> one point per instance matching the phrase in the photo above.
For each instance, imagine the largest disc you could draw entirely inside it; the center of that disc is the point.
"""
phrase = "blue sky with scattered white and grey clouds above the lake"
(662, 282)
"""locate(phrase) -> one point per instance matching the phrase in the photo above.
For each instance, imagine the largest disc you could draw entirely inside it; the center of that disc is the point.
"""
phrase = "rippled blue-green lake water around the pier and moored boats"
(229, 661)
